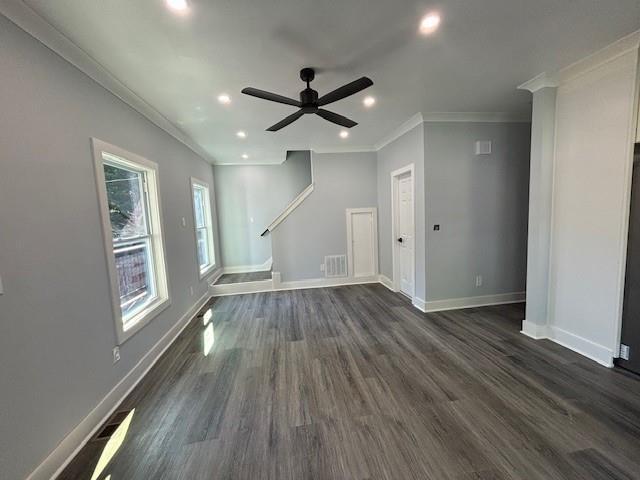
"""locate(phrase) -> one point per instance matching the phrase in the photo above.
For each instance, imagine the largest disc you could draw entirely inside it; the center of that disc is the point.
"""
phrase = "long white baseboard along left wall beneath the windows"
(69, 447)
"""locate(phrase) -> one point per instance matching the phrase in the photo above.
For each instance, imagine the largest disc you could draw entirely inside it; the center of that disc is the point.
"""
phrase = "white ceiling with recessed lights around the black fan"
(179, 64)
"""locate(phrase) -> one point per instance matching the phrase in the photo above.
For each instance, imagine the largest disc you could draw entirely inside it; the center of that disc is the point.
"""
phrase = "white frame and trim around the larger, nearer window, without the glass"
(162, 299)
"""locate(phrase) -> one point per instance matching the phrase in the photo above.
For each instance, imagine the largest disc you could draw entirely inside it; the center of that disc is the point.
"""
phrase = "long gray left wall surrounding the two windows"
(56, 322)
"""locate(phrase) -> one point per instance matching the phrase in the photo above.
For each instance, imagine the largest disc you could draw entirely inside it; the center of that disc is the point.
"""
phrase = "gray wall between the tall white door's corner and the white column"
(481, 204)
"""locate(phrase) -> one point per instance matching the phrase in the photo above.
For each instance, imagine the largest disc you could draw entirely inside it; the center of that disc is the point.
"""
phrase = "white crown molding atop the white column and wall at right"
(597, 59)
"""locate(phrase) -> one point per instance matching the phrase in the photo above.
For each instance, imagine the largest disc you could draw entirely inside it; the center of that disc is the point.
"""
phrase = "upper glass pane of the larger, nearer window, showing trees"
(126, 202)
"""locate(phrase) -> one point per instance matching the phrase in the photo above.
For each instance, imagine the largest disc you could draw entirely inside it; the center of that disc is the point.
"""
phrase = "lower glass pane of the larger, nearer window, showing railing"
(135, 276)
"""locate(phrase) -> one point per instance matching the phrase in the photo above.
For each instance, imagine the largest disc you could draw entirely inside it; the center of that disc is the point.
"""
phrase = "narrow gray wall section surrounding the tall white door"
(409, 148)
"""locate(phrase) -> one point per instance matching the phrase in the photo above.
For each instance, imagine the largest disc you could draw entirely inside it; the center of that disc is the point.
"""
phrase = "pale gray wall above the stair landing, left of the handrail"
(249, 198)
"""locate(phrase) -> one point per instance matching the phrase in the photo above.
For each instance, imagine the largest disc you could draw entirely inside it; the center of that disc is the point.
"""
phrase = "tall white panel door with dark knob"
(404, 241)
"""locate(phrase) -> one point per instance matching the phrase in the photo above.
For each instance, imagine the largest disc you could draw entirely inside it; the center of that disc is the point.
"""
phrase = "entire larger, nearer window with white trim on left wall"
(130, 209)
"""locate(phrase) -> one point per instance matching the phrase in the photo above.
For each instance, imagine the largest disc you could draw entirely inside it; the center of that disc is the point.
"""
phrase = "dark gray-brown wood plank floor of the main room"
(354, 383)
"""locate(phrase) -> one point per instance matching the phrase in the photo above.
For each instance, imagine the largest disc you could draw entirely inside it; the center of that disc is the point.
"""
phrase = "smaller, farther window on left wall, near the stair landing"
(205, 252)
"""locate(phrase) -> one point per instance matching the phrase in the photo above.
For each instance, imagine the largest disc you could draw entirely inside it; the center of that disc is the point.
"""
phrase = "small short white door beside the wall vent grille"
(362, 233)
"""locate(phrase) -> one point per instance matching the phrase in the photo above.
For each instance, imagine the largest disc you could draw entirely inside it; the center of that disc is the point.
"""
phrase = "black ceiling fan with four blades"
(309, 101)
